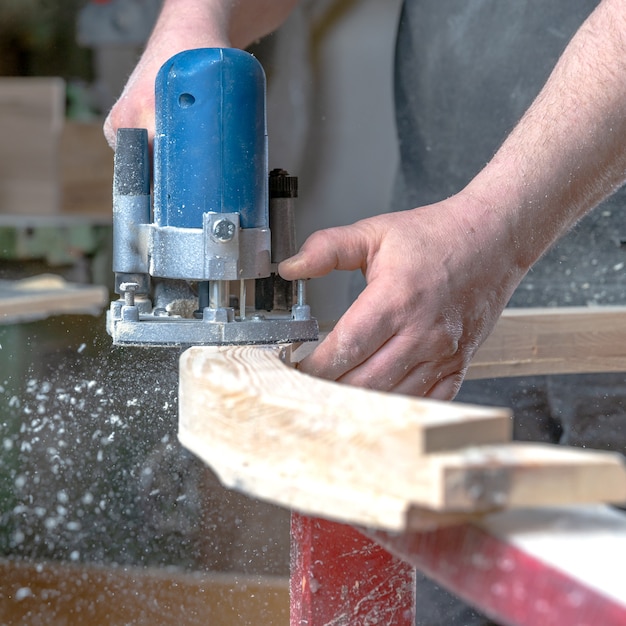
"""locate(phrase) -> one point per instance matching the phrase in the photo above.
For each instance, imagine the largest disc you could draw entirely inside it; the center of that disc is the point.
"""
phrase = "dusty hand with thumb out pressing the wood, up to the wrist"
(437, 277)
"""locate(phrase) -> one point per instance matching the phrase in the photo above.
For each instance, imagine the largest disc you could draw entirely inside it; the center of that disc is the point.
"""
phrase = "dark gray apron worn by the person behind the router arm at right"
(466, 70)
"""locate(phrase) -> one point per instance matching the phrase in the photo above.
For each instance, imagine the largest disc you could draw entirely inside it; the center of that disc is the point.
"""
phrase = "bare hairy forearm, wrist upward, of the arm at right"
(569, 150)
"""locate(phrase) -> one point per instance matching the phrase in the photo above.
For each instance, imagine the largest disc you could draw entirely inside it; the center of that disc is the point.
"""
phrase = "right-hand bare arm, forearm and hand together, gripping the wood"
(438, 277)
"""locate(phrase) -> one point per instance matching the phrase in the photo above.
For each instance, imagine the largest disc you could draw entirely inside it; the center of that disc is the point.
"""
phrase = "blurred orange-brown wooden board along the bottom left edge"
(36, 592)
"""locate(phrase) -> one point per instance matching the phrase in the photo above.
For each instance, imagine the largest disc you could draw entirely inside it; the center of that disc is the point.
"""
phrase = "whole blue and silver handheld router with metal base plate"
(184, 263)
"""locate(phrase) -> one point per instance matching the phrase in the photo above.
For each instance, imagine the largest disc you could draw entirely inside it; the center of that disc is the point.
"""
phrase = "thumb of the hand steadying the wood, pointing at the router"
(342, 248)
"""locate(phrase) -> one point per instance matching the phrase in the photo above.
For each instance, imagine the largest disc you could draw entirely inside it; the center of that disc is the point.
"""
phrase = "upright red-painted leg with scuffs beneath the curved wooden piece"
(340, 577)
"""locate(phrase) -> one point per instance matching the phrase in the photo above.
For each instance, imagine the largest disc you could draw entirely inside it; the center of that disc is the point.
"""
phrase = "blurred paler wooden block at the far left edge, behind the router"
(31, 120)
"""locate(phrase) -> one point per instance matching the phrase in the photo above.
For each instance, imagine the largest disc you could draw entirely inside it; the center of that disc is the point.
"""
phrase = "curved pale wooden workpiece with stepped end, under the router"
(366, 457)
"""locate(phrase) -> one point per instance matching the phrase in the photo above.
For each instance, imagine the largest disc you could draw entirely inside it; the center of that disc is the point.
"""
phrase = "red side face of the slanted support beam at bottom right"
(504, 581)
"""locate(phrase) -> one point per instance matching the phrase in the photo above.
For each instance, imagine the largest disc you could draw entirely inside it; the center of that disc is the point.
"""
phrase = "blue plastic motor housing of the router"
(210, 146)
